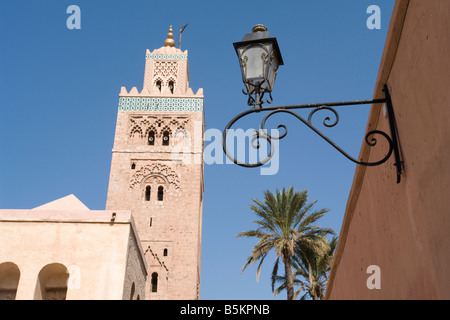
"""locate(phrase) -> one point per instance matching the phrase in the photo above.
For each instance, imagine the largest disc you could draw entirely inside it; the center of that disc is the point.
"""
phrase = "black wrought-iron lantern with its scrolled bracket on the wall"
(259, 58)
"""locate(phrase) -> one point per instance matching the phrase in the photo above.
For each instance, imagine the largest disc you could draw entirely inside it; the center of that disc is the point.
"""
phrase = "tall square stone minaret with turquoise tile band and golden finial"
(157, 172)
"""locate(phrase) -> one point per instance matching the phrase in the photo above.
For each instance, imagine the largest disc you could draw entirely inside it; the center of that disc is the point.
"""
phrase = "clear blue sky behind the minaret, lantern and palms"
(59, 99)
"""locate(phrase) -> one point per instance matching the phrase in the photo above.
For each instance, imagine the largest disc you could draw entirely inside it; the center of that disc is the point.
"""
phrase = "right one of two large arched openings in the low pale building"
(52, 283)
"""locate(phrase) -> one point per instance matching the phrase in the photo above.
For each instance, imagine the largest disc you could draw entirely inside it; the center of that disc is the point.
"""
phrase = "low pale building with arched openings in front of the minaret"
(63, 250)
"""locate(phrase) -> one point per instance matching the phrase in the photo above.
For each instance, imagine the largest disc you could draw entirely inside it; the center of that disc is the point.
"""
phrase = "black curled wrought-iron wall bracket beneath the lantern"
(263, 133)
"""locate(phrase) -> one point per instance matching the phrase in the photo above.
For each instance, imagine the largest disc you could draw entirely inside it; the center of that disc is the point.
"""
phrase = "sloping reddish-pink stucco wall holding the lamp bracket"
(404, 228)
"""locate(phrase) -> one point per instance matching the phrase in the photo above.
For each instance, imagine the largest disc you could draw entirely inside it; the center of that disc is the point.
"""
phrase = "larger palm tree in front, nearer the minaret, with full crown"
(285, 226)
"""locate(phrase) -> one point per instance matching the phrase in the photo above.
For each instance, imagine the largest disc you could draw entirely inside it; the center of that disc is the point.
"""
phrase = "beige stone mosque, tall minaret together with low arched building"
(147, 243)
